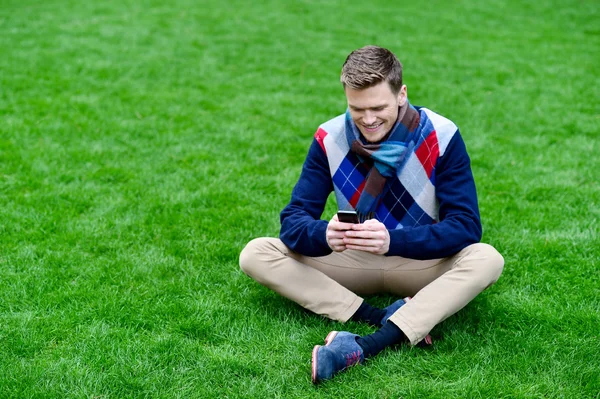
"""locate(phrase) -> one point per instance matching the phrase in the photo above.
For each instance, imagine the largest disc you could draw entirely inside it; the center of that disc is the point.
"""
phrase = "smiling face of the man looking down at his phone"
(375, 109)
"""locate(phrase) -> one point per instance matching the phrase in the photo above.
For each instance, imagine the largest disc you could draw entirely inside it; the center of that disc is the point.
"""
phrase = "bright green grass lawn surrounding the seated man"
(142, 144)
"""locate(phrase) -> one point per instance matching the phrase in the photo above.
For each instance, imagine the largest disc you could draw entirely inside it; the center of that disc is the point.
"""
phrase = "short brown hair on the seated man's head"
(371, 65)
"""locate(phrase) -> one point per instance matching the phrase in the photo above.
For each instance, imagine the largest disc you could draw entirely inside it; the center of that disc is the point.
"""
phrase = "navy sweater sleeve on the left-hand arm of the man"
(301, 228)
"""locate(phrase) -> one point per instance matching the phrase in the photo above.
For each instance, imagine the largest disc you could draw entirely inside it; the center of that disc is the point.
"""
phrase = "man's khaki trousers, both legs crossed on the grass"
(331, 285)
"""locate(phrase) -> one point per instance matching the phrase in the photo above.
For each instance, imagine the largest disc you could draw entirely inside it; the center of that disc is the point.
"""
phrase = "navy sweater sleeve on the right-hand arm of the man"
(459, 224)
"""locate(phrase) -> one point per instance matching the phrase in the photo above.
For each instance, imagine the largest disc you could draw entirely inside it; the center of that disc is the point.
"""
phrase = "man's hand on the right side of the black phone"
(370, 236)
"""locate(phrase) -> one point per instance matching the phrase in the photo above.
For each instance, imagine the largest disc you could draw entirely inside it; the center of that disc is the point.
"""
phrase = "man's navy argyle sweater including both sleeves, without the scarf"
(430, 208)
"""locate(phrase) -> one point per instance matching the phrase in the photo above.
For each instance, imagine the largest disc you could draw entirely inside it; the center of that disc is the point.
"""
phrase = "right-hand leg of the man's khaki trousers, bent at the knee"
(455, 281)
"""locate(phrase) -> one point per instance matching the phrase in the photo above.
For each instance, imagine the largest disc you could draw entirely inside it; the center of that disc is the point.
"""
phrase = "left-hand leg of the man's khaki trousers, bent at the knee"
(327, 285)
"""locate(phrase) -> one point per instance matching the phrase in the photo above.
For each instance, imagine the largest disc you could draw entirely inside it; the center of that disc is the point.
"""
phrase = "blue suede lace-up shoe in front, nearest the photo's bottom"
(340, 352)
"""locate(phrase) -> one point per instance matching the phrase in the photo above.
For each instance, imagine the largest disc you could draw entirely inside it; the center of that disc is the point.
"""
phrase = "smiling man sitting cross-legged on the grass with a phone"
(406, 172)
